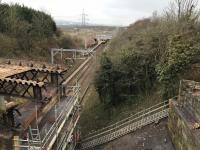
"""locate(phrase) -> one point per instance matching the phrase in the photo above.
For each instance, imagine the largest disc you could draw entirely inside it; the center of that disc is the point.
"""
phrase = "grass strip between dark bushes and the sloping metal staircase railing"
(96, 116)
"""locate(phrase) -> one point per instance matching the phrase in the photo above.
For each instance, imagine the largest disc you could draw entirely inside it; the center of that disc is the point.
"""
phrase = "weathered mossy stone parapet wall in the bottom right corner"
(183, 114)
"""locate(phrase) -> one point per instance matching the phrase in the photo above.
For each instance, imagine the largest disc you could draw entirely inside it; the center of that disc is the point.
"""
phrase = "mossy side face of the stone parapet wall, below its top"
(184, 137)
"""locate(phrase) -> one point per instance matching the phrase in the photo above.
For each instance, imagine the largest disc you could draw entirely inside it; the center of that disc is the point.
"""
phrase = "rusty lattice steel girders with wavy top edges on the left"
(31, 83)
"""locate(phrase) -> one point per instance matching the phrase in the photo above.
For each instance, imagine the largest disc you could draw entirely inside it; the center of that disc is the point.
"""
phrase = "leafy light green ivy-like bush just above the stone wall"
(182, 51)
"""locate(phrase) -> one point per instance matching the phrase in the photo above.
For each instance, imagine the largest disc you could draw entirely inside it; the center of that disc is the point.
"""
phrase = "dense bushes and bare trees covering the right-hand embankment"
(153, 53)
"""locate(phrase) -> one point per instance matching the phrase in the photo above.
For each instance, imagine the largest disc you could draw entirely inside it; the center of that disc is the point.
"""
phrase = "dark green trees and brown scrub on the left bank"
(25, 32)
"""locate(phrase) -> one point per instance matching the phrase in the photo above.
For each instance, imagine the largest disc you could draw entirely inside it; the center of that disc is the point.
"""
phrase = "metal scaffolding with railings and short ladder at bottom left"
(40, 139)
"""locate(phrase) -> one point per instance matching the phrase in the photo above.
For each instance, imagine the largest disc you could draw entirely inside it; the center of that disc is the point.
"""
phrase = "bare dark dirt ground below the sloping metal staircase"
(151, 137)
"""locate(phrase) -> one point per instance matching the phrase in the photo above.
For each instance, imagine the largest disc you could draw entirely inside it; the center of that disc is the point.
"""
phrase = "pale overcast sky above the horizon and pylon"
(110, 12)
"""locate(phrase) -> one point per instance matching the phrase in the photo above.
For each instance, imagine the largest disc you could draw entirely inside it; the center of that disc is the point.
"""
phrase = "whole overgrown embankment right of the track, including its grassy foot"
(143, 66)
